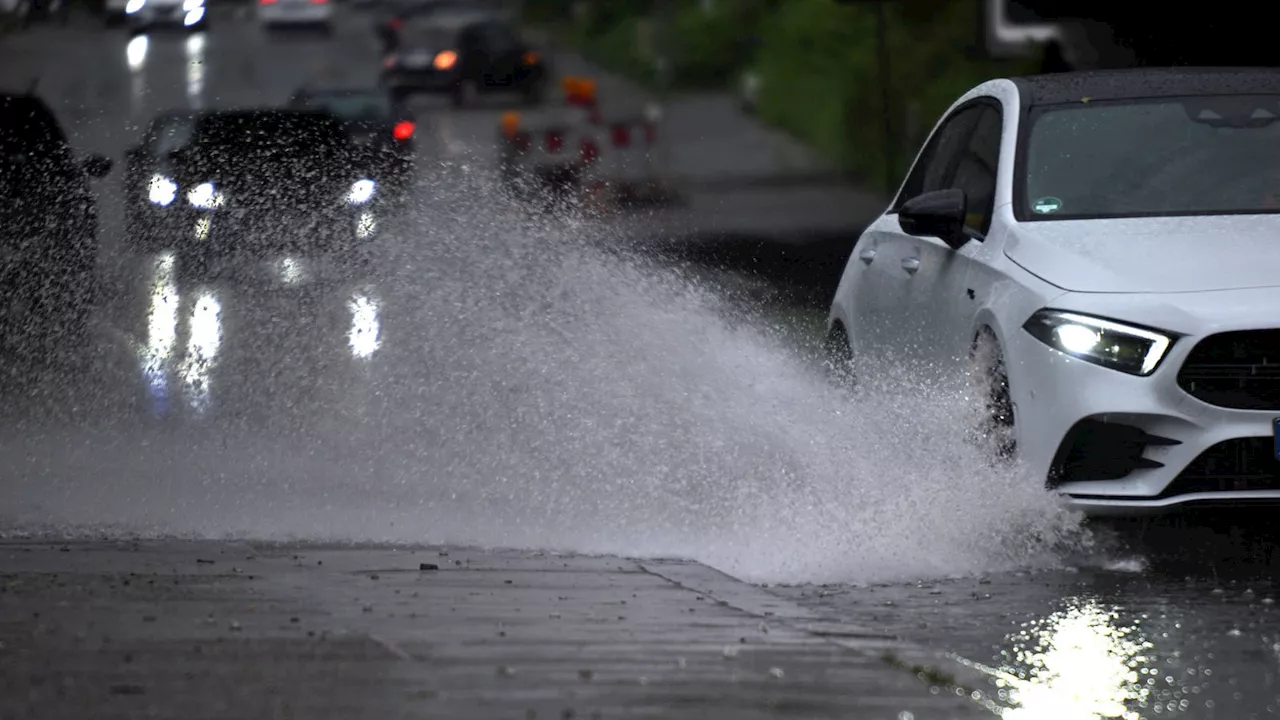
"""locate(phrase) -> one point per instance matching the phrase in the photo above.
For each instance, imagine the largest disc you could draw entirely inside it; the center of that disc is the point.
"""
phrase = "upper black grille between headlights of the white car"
(1236, 370)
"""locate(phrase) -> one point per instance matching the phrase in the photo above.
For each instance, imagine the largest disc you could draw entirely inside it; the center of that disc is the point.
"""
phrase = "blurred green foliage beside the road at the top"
(817, 61)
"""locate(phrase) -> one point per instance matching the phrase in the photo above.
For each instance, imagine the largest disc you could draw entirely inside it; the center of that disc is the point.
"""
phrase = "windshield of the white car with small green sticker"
(1142, 158)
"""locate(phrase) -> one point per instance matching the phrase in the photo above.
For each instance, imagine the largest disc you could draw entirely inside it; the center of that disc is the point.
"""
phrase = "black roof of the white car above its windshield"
(1136, 84)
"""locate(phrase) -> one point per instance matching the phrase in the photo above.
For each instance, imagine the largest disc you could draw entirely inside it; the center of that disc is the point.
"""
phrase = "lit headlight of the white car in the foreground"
(1128, 349)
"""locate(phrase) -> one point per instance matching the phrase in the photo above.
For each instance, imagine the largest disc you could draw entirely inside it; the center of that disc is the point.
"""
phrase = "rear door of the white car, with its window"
(884, 312)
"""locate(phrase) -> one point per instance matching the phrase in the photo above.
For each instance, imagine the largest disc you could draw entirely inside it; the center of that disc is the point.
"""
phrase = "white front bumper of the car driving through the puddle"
(1116, 444)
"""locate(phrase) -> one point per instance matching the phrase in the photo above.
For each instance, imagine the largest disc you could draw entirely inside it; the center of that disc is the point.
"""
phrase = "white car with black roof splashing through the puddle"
(1104, 247)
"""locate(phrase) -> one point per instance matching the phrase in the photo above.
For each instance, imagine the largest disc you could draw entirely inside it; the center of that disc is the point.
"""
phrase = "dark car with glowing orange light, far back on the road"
(463, 54)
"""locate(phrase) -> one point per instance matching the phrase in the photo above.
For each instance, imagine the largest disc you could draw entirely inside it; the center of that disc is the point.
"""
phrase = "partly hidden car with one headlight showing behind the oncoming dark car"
(150, 190)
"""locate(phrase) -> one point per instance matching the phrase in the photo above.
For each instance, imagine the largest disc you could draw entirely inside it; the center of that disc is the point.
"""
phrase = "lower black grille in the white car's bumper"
(1235, 466)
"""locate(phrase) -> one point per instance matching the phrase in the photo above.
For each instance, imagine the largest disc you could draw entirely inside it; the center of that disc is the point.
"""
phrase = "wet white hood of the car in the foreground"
(1151, 254)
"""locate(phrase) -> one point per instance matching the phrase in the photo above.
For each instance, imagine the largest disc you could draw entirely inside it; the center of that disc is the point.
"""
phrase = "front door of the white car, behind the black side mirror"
(940, 293)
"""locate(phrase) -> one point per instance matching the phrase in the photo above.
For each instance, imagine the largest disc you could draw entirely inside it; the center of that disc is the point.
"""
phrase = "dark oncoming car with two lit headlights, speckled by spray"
(252, 184)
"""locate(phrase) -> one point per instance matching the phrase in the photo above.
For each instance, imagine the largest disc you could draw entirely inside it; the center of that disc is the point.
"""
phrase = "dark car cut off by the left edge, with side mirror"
(48, 226)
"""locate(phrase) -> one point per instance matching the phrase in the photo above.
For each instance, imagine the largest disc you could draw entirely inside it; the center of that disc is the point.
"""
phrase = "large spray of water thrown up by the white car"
(529, 388)
